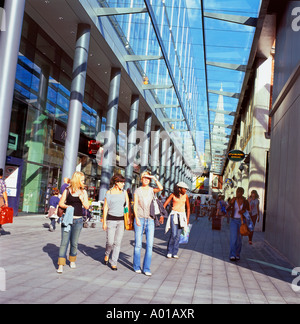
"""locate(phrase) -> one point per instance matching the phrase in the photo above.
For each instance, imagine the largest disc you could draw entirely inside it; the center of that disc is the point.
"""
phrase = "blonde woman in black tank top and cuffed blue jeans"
(72, 199)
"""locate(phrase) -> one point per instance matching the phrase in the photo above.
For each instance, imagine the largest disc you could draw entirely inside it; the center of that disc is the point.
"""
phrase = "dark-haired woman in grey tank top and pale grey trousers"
(113, 219)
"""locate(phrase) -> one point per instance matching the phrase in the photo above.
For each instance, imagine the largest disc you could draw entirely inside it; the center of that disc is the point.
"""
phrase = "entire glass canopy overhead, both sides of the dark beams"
(195, 74)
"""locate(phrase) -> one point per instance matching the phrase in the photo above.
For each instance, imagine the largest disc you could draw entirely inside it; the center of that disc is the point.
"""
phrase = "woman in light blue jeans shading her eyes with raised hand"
(143, 197)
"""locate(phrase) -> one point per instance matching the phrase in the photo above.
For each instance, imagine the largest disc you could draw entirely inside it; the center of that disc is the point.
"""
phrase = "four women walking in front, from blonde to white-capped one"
(116, 200)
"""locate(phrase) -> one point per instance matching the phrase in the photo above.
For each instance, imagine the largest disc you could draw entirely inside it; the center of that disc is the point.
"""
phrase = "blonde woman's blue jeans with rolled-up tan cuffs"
(71, 238)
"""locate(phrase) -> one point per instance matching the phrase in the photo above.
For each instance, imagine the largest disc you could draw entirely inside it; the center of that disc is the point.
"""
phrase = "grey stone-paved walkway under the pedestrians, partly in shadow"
(203, 274)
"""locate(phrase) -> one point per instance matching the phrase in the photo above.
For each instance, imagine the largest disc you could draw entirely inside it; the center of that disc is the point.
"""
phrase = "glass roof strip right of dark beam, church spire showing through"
(229, 28)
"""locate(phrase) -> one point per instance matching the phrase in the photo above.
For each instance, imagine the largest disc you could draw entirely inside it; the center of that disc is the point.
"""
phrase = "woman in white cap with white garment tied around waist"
(178, 219)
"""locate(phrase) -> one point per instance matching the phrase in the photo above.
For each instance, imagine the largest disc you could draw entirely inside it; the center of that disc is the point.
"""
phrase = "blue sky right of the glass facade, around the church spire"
(226, 42)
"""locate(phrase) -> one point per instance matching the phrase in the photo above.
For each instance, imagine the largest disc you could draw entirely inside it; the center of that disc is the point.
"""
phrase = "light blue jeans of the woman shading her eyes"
(147, 225)
